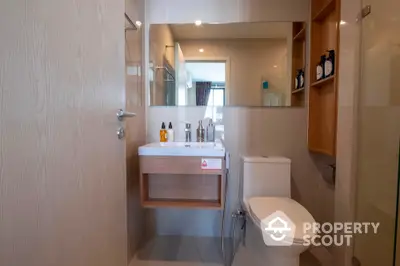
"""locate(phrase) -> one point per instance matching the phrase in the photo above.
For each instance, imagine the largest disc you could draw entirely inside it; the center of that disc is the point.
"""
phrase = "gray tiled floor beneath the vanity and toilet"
(192, 251)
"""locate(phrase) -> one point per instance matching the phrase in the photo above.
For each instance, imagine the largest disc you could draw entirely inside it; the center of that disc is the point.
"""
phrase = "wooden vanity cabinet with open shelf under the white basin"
(180, 182)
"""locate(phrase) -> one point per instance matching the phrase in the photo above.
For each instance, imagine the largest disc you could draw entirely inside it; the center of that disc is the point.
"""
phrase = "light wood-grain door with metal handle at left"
(62, 167)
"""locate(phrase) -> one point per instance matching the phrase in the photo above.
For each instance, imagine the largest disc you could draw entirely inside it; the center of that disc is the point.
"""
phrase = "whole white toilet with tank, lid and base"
(265, 190)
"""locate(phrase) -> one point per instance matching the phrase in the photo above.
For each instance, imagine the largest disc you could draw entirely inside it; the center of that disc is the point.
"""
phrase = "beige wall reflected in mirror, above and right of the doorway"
(250, 62)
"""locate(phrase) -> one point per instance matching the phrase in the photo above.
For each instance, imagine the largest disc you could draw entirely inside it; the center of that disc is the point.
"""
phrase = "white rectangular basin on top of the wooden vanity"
(206, 149)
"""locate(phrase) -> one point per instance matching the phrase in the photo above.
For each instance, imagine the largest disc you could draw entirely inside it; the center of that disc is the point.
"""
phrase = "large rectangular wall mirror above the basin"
(236, 64)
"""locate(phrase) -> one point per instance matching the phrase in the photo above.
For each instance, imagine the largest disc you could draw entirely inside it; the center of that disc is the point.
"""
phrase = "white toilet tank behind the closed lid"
(265, 177)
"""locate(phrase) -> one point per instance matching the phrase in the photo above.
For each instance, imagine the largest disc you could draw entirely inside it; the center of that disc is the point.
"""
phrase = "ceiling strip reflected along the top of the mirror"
(274, 30)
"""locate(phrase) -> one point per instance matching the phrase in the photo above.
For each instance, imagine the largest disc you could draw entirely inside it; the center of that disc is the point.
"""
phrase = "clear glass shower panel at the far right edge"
(378, 133)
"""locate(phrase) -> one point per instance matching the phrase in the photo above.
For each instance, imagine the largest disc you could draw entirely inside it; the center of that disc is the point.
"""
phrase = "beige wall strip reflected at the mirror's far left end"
(160, 36)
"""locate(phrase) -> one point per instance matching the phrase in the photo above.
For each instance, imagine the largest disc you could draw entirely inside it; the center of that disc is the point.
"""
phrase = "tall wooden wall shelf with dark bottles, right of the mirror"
(322, 114)
